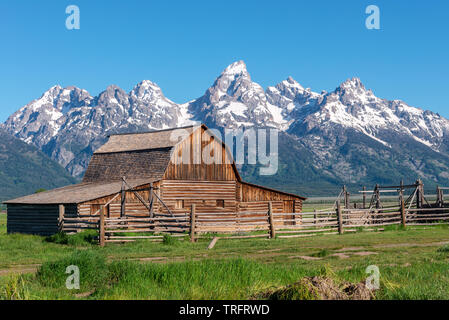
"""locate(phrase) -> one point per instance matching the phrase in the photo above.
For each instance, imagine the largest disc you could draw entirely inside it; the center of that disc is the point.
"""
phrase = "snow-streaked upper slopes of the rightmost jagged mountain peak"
(351, 105)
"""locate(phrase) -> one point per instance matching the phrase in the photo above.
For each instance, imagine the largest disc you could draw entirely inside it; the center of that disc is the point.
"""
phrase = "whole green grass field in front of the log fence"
(413, 263)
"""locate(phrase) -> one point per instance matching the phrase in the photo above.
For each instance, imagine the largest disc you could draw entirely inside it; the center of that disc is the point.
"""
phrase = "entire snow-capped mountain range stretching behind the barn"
(337, 132)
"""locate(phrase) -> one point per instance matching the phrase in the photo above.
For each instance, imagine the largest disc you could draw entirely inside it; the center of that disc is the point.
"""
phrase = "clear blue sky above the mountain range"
(184, 45)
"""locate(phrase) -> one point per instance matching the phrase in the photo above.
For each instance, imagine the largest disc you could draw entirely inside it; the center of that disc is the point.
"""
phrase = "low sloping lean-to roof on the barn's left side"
(77, 193)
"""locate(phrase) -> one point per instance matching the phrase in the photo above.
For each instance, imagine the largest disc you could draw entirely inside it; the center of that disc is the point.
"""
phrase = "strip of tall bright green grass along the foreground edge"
(214, 279)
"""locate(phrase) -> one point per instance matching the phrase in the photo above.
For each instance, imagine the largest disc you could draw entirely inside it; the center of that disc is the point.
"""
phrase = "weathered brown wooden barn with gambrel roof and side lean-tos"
(151, 173)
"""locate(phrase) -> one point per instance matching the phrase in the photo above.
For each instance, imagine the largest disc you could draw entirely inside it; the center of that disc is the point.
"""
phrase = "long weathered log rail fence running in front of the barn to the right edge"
(261, 224)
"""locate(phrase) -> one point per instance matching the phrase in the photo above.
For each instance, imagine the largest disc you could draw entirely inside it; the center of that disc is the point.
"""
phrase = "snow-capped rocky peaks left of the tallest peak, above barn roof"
(68, 124)
